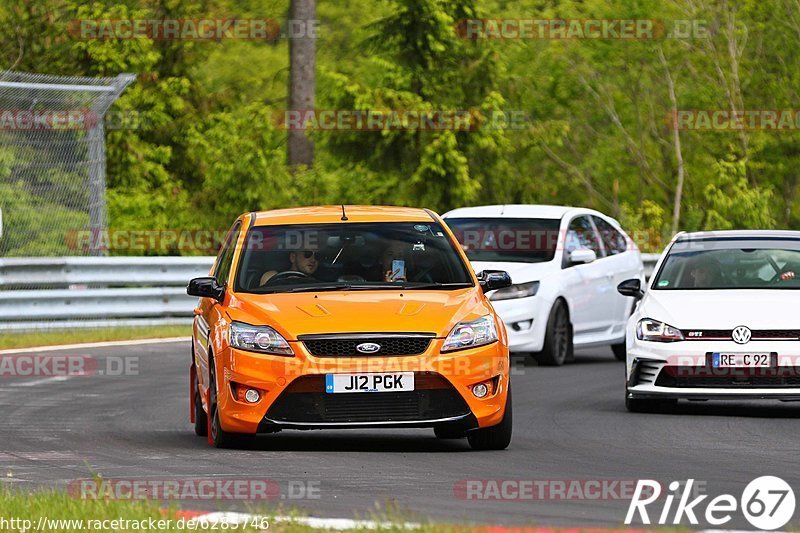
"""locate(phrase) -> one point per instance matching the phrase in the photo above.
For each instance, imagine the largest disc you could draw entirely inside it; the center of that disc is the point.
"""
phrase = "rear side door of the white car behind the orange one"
(621, 262)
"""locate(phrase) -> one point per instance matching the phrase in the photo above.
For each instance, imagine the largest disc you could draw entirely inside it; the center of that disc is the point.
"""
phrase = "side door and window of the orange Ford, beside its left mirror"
(209, 311)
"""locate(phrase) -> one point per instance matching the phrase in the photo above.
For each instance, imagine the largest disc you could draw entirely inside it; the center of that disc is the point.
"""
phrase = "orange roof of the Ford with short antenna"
(333, 214)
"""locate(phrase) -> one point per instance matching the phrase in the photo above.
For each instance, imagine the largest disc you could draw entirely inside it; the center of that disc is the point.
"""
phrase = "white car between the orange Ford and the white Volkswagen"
(565, 263)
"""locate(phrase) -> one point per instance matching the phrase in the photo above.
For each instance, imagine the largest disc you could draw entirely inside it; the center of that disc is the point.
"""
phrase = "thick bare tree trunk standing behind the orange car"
(302, 66)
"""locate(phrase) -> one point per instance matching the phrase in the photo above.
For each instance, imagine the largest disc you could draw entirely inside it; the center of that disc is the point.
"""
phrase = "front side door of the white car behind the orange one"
(588, 287)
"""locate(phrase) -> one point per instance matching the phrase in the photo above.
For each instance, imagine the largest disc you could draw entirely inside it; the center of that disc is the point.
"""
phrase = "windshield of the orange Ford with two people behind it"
(350, 256)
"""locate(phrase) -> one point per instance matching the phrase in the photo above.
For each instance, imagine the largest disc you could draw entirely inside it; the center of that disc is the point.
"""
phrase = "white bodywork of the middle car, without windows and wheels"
(598, 313)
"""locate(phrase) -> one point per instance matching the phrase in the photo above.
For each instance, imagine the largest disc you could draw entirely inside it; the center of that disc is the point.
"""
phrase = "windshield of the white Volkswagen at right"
(731, 264)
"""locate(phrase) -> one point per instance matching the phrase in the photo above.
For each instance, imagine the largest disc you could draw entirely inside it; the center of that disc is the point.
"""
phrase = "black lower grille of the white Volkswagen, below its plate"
(706, 377)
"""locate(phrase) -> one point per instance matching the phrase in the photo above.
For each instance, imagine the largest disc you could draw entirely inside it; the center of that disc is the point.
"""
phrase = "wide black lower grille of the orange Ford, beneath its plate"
(305, 401)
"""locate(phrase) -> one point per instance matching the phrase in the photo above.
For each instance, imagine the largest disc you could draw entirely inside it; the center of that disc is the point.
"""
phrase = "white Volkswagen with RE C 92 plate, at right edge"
(718, 320)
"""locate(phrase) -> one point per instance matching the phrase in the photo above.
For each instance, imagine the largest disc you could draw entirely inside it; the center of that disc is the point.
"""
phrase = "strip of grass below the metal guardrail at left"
(29, 339)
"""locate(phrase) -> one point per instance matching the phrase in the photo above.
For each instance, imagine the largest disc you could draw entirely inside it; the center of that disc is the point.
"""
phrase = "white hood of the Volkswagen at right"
(723, 309)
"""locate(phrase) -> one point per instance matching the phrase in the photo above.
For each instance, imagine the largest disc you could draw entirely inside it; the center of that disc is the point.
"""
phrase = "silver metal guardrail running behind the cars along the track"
(73, 292)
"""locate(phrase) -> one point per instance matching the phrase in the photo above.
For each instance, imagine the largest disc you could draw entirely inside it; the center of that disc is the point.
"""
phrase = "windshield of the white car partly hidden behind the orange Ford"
(517, 240)
